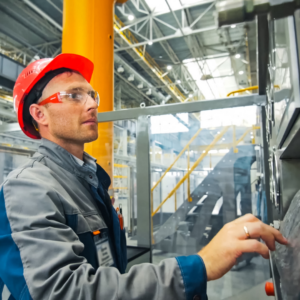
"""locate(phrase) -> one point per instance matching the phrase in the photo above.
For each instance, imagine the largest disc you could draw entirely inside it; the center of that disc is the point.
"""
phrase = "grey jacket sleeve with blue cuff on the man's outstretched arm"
(40, 256)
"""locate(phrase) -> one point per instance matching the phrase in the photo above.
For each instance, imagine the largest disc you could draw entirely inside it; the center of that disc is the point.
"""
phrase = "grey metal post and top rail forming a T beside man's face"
(143, 177)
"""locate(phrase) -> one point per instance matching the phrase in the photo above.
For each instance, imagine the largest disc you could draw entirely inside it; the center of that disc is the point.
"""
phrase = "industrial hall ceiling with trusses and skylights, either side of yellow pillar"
(166, 51)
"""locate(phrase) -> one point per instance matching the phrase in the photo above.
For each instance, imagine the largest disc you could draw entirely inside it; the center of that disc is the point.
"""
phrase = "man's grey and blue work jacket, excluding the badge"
(49, 209)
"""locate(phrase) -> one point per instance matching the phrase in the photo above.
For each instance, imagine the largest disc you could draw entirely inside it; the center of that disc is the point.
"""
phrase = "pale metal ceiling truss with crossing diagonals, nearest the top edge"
(148, 22)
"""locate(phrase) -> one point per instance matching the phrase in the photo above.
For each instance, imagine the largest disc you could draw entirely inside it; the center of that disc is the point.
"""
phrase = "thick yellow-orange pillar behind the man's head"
(88, 31)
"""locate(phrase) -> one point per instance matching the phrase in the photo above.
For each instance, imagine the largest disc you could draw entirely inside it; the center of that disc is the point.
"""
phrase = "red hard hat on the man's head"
(29, 86)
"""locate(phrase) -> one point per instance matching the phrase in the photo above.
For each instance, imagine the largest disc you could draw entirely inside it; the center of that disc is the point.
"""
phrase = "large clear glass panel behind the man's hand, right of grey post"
(204, 175)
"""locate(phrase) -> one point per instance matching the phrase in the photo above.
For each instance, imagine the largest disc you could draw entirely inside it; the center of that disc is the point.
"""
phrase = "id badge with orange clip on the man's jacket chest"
(105, 258)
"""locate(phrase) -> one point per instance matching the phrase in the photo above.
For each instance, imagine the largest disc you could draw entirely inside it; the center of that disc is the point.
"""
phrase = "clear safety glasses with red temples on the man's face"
(79, 97)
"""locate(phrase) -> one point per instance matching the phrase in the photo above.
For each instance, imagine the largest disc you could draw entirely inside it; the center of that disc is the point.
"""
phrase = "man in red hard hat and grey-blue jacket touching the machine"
(56, 217)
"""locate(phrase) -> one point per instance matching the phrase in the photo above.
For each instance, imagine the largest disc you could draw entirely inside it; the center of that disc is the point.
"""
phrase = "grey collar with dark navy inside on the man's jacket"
(67, 161)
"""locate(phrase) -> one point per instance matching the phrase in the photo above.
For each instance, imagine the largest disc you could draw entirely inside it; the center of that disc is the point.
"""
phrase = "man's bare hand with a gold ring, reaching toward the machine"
(231, 242)
